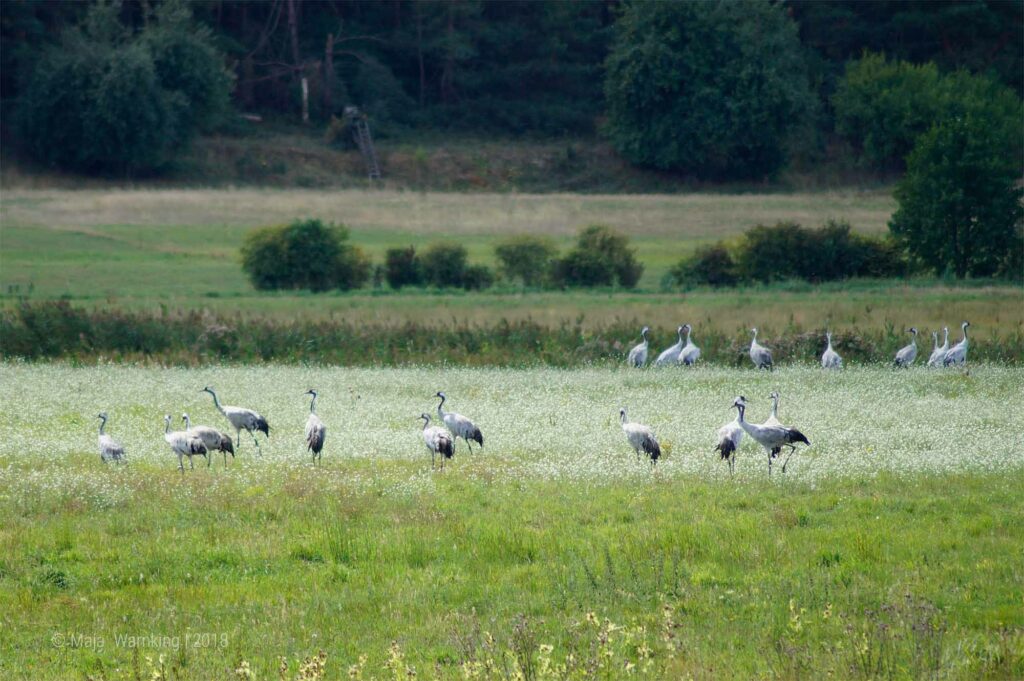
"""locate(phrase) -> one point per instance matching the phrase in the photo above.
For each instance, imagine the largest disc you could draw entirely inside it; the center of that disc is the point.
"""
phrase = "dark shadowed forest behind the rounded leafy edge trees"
(508, 65)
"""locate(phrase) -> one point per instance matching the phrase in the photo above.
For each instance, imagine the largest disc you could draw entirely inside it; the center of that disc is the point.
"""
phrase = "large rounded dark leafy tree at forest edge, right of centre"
(711, 89)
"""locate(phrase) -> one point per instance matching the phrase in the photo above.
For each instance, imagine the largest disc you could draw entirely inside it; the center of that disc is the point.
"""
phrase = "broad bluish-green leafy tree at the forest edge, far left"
(109, 100)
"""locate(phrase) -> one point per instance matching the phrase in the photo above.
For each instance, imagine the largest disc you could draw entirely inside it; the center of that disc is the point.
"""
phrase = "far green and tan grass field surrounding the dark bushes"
(179, 249)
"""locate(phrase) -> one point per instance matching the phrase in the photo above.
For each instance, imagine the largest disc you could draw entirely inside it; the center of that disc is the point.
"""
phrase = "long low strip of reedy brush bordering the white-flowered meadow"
(58, 330)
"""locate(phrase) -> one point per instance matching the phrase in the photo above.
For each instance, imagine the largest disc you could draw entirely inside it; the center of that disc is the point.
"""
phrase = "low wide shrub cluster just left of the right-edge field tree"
(789, 251)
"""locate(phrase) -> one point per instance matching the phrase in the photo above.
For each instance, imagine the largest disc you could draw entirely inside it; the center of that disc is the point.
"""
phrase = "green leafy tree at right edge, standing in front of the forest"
(960, 203)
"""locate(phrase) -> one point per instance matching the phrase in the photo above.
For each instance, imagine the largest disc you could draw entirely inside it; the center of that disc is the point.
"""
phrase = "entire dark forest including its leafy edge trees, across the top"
(727, 91)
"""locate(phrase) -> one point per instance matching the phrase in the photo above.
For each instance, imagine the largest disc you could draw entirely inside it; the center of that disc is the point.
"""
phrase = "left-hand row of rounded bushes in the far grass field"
(310, 254)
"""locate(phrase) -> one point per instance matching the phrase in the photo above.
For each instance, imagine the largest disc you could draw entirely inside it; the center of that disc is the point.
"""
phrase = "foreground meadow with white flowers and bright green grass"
(551, 550)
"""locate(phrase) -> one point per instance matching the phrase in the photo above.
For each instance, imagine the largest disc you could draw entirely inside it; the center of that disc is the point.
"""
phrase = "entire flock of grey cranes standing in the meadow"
(441, 440)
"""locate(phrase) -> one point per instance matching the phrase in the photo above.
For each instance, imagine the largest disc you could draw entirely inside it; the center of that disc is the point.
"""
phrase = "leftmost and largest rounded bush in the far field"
(306, 254)
